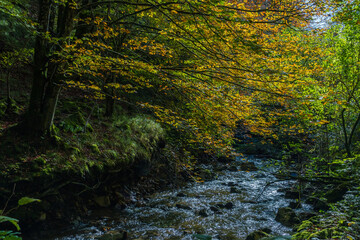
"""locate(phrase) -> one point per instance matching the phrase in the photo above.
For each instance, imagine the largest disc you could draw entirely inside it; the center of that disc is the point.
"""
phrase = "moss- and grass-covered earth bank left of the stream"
(87, 162)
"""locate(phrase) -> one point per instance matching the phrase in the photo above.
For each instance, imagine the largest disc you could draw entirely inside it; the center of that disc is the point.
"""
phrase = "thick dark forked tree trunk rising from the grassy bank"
(46, 87)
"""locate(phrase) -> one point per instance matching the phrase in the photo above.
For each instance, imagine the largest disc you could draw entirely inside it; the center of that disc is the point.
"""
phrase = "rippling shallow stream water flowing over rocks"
(233, 205)
